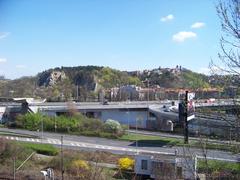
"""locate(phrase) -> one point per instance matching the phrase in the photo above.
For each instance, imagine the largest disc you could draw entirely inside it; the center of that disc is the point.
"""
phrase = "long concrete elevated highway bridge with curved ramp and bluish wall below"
(140, 114)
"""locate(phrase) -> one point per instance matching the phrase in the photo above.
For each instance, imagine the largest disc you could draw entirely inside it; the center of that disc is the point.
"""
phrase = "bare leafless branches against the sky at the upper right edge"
(229, 14)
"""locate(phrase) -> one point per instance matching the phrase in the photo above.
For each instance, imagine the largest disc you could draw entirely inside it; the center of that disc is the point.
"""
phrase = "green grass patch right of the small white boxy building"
(218, 166)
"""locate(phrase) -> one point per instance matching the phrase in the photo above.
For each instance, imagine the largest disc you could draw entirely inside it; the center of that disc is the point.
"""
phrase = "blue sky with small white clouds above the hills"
(36, 35)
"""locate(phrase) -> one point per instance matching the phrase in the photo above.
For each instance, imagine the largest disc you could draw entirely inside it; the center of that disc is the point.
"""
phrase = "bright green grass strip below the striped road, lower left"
(45, 149)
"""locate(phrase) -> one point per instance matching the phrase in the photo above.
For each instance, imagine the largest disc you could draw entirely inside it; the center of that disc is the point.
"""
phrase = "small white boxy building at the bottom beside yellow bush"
(161, 166)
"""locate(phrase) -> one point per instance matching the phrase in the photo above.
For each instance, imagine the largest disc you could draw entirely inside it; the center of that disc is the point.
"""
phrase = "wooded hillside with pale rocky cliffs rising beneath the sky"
(85, 82)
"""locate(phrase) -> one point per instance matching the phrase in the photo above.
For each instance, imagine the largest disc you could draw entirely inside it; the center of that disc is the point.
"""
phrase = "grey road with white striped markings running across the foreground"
(115, 146)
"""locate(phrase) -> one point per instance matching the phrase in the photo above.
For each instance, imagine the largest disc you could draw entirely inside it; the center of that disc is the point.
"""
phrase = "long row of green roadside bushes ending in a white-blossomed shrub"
(77, 124)
